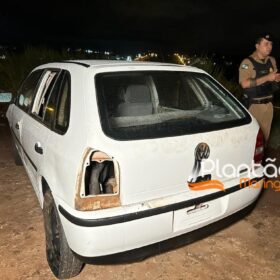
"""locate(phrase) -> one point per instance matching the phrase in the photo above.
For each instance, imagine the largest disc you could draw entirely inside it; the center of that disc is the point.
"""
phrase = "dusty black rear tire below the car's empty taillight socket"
(62, 261)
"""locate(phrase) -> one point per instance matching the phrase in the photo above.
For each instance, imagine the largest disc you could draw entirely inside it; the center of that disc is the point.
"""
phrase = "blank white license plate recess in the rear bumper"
(192, 216)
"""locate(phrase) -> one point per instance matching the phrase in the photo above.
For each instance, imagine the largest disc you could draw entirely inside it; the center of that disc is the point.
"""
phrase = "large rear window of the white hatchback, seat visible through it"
(153, 104)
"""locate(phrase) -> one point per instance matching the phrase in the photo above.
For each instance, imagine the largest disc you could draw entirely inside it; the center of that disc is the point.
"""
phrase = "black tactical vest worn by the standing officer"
(264, 89)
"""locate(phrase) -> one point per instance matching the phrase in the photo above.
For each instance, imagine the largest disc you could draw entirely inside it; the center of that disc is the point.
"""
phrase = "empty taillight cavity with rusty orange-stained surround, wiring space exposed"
(98, 182)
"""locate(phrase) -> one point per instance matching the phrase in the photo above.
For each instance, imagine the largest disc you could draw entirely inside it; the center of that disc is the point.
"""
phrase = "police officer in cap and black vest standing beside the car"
(257, 76)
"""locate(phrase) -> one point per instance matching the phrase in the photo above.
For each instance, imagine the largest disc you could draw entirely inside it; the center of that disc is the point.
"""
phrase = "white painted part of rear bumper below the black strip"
(138, 233)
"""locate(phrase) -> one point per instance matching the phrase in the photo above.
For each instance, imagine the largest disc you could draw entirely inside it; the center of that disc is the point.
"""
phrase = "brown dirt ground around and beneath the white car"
(249, 249)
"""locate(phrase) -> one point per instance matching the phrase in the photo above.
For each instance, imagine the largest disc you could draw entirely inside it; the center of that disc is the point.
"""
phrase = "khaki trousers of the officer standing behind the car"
(263, 114)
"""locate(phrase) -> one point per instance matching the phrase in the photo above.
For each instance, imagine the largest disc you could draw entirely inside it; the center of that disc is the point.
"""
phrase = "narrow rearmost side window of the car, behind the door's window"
(63, 105)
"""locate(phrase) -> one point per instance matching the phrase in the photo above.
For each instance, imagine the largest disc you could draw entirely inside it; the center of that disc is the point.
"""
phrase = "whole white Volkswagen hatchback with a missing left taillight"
(123, 155)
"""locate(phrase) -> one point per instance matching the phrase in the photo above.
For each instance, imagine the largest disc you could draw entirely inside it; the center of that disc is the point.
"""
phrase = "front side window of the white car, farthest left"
(28, 90)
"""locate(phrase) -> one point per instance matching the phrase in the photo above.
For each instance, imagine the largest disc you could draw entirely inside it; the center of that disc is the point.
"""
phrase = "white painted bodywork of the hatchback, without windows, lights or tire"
(153, 172)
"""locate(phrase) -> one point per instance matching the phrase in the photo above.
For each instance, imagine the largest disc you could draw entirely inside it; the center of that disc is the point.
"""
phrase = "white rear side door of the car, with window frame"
(38, 125)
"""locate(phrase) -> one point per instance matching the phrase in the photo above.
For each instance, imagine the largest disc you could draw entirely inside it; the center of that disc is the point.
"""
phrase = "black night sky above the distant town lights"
(192, 25)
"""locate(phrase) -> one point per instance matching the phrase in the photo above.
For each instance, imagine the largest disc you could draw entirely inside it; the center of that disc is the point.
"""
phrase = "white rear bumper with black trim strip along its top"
(115, 234)
